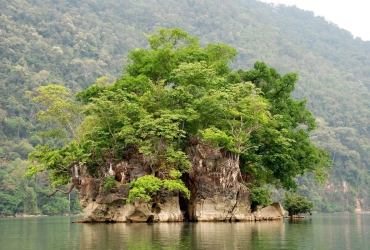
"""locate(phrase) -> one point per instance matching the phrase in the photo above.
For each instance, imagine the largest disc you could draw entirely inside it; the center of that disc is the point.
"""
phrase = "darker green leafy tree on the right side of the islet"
(284, 149)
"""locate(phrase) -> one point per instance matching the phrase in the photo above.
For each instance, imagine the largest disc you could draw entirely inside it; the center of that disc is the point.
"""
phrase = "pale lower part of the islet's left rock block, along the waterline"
(111, 206)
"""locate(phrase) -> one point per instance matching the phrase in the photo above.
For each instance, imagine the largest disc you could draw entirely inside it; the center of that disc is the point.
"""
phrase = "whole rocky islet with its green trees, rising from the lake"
(180, 136)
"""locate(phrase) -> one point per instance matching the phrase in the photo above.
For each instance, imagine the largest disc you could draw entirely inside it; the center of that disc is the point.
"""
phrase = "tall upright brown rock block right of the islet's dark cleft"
(215, 184)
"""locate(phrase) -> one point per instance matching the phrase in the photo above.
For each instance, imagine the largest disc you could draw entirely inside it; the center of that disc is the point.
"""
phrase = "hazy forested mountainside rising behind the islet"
(73, 43)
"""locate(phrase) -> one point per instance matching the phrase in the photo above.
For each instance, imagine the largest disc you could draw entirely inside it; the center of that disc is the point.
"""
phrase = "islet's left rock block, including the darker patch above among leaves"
(111, 206)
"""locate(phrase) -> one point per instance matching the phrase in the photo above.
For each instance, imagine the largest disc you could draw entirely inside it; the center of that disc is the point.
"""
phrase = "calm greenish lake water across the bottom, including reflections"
(320, 231)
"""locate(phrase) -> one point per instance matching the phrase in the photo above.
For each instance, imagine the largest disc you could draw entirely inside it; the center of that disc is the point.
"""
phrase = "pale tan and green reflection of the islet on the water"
(208, 235)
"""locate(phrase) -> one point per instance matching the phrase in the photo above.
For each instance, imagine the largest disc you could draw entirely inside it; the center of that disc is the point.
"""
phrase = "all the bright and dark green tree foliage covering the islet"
(169, 93)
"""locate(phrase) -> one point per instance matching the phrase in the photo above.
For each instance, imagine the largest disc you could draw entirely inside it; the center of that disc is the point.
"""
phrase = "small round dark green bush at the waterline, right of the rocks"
(296, 204)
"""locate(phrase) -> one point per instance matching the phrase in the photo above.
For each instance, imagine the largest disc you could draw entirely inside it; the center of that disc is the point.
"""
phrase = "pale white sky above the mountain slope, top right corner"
(352, 15)
